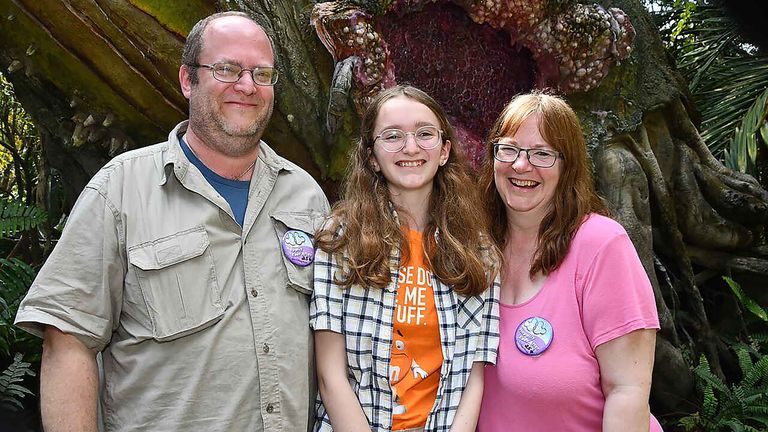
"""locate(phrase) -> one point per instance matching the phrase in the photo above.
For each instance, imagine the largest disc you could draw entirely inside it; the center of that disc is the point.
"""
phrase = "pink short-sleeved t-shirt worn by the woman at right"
(598, 293)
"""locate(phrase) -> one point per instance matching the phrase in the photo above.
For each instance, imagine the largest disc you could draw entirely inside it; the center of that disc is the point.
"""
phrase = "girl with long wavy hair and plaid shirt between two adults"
(404, 308)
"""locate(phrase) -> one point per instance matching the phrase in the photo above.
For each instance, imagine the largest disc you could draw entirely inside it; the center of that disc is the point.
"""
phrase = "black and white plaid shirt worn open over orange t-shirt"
(469, 332)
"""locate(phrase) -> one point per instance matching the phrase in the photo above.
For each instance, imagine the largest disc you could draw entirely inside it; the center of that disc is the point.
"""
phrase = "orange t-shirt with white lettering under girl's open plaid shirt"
(417, 355)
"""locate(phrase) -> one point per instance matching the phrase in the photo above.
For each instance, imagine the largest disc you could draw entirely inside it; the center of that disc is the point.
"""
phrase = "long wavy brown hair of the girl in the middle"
(363, 230)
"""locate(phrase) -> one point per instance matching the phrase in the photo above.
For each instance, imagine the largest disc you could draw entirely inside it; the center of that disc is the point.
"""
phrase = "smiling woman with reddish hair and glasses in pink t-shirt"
(578, 319)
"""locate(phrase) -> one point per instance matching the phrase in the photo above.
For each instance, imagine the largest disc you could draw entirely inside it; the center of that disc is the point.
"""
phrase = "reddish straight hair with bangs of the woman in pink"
(575, 196)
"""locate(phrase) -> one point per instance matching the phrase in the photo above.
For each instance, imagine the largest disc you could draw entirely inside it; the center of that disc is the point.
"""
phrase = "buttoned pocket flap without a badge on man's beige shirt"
(170, 250)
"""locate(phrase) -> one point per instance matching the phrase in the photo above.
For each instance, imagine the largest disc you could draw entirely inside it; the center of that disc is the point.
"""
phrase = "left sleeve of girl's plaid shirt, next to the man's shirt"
(325, 308)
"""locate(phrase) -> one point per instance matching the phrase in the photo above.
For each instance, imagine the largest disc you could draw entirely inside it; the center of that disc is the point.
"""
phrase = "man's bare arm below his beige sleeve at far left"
(69, 384)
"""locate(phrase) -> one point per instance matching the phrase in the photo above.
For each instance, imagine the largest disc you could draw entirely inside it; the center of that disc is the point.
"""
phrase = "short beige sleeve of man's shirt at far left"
(79, 289)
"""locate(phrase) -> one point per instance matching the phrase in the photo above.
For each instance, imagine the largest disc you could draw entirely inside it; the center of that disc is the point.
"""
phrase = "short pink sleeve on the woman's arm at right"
(617, 294)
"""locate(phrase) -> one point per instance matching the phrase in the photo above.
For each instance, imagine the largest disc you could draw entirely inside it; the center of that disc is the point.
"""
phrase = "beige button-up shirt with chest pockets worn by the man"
(203, 325)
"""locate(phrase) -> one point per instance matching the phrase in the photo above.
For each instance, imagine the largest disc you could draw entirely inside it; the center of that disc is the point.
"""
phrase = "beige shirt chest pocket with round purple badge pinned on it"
(294, 232)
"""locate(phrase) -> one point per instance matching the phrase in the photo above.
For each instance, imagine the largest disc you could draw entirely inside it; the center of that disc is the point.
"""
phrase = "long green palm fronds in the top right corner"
(726, 76)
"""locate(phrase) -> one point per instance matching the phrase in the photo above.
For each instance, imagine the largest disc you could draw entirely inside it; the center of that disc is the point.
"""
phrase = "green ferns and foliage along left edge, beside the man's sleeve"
(26, 235)
